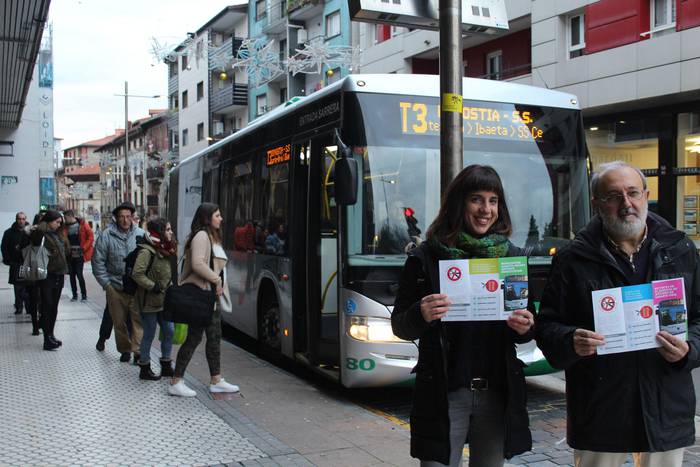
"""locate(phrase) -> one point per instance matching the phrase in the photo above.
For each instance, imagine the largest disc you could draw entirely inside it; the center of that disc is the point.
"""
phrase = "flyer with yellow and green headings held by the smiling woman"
(485, 289)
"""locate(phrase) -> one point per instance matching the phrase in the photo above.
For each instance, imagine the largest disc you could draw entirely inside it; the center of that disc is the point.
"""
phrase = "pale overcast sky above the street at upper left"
(99, 44)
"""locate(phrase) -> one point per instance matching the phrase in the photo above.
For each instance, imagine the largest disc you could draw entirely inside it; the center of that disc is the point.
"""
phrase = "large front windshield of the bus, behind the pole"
(539, 153)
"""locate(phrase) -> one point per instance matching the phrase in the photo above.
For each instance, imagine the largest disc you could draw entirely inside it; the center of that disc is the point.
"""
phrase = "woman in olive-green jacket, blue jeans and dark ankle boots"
(152, 274)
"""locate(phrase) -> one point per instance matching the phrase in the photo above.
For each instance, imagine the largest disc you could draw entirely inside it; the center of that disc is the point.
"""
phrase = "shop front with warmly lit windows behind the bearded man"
(665, 144)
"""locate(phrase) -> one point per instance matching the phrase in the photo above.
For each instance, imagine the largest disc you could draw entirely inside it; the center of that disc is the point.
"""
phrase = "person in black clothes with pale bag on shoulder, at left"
(49, 289)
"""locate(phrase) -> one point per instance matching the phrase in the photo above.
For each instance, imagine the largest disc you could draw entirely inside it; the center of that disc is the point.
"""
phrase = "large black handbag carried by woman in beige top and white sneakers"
(188, 304)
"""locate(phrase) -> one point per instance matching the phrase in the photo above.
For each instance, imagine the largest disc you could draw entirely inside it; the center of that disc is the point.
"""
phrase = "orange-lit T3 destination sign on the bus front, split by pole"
(484, 121)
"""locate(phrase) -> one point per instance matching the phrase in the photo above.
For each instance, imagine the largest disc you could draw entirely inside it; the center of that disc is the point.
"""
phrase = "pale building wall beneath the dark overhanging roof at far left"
(19, 175)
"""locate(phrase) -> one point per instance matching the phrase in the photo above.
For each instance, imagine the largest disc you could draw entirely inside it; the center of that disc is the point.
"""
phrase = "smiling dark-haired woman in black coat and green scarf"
(469, 383)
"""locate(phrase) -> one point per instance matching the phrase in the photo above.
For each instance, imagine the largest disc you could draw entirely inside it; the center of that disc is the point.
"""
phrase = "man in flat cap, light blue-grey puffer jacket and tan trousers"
(115, 243)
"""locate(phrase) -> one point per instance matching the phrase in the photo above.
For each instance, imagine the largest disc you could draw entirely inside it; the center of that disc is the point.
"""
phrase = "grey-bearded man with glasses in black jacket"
(641, 401)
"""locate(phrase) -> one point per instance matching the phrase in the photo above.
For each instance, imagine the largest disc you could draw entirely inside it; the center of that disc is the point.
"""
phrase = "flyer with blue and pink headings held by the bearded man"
(630, 317)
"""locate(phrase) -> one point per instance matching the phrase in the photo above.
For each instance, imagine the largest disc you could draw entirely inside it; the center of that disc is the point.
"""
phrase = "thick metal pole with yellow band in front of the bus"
(451, 142)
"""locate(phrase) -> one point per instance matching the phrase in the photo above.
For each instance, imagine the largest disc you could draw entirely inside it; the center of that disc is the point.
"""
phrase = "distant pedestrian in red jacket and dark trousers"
(81, 239)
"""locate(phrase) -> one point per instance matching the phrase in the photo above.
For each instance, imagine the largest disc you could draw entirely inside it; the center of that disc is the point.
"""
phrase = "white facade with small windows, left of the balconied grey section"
(196, 111)
